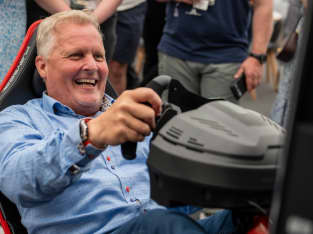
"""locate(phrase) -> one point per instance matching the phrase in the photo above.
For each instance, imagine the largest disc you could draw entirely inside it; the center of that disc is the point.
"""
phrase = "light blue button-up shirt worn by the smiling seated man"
(38, 146)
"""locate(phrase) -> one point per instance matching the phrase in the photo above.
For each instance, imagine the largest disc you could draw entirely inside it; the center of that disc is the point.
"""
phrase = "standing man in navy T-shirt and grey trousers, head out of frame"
(206, 44)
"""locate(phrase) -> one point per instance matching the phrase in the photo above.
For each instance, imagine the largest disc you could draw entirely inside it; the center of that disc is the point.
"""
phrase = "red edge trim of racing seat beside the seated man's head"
(19, 55)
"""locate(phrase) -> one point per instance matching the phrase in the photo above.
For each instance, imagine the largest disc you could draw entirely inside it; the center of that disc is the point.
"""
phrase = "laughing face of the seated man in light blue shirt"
(75, 71)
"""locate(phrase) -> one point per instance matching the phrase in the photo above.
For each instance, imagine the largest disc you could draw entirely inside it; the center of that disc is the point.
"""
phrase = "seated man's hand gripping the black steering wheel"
(128, 119)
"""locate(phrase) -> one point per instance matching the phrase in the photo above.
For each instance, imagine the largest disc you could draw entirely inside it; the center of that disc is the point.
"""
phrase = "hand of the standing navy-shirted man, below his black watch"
(253, 71)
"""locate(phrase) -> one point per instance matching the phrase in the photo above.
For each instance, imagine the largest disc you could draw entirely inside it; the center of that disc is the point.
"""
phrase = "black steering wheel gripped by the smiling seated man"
(158, 84)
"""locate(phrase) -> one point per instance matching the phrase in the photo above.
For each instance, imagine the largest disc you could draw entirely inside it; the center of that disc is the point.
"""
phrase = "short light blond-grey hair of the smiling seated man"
(46, 31)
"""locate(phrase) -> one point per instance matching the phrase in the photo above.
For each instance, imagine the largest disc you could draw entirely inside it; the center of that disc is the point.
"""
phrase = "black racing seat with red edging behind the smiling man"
(22, 83)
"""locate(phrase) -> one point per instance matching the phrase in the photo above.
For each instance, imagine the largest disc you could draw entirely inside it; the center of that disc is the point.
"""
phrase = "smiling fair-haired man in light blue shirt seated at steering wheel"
(61, 161)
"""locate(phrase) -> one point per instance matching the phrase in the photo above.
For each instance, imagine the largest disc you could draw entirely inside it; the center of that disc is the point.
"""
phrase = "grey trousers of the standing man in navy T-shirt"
(207, 80)
